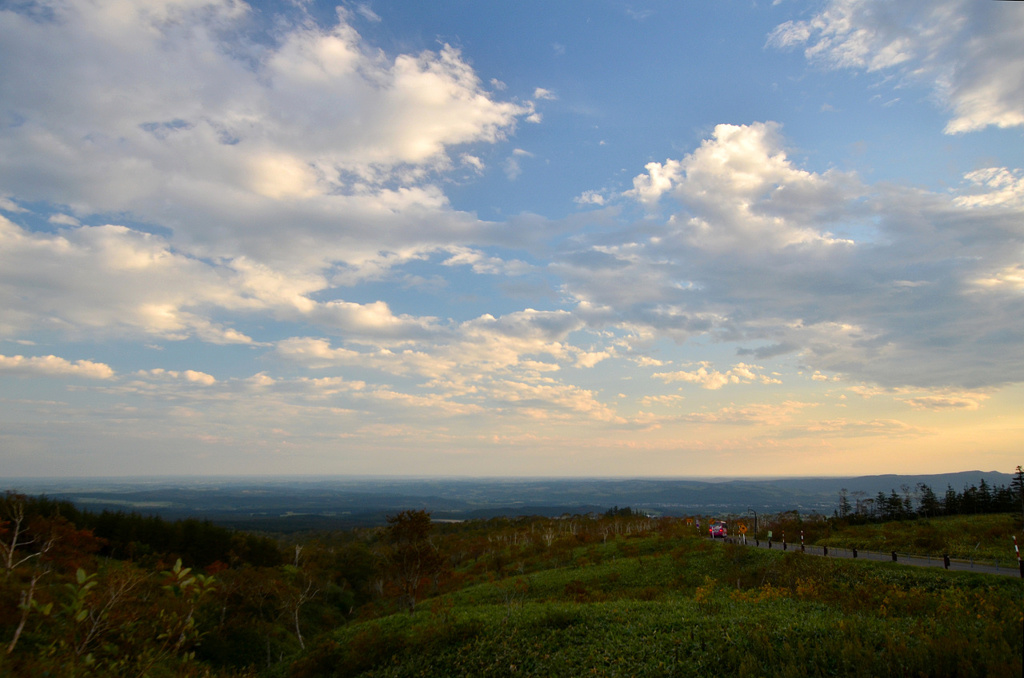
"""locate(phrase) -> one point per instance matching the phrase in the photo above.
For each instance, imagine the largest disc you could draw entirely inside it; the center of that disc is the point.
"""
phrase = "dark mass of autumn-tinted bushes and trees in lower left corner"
(122, 595)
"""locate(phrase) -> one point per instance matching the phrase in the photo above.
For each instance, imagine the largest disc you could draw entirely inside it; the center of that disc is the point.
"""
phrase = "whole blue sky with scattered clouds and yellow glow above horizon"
(721, 239)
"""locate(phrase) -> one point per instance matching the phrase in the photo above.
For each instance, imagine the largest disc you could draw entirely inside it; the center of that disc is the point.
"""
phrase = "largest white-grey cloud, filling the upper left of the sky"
(222, 135)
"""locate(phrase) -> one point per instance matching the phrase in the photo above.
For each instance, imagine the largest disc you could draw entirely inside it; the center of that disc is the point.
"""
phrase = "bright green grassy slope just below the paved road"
(690, 607)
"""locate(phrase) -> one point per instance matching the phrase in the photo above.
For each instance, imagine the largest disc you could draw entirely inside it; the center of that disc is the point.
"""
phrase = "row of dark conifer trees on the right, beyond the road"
(859, 507)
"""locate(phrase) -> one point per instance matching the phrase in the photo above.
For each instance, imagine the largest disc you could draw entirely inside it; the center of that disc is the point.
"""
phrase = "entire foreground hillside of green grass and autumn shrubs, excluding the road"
(619, 595)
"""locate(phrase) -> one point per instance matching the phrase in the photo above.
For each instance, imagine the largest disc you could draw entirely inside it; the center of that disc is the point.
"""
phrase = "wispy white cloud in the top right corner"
(969, 53)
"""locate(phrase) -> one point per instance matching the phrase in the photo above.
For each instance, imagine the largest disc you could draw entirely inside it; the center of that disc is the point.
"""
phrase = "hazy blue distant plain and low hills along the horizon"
(305, 503)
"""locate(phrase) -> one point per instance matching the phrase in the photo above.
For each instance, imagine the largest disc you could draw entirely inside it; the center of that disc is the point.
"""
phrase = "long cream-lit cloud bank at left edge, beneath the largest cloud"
(109, 280)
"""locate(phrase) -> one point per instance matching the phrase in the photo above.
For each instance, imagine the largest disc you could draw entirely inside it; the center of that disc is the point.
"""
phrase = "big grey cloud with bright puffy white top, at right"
(885, 284)
